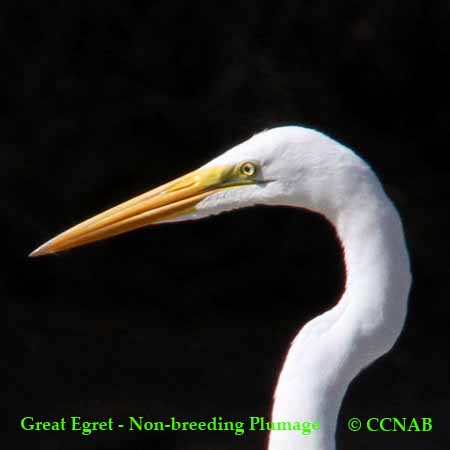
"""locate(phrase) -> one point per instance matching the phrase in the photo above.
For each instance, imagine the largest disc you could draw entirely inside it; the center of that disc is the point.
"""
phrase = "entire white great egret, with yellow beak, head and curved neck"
(297, 167)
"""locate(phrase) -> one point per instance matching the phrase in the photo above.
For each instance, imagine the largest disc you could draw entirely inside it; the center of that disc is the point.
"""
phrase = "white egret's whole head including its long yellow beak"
(286, 166)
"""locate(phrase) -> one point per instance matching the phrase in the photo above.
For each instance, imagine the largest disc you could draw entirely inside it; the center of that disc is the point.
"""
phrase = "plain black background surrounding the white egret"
(103, 100)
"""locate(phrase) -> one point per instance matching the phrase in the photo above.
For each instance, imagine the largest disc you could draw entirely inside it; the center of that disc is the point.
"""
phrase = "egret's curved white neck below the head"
(334, 347)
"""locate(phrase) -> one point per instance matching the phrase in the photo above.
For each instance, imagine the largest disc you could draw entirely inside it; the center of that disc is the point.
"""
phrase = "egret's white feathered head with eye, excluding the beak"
(291, 166)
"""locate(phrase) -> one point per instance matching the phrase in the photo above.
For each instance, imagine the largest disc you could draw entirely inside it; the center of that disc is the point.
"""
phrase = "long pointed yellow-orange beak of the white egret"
(170, 200)
